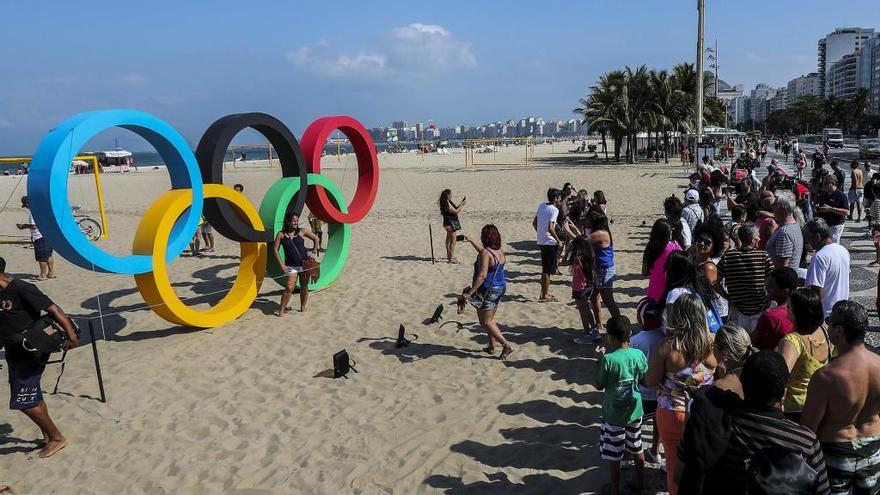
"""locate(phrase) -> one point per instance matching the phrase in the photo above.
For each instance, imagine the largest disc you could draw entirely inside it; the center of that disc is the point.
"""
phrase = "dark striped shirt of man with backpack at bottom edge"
(745, 433)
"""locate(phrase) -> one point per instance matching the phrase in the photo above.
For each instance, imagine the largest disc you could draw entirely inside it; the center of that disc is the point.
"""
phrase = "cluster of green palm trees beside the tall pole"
(626, 102)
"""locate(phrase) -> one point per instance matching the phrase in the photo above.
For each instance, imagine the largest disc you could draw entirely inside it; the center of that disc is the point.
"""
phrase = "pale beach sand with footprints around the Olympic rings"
(248, 407)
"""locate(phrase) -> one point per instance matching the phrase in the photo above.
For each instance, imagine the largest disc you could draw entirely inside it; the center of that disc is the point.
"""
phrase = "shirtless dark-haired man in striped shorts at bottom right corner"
(843, 403)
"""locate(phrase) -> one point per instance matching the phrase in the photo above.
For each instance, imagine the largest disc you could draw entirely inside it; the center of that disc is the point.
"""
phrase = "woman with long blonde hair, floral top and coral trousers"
(682, 363)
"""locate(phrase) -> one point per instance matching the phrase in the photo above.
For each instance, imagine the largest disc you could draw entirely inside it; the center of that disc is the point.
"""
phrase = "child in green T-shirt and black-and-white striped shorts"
(619, 373)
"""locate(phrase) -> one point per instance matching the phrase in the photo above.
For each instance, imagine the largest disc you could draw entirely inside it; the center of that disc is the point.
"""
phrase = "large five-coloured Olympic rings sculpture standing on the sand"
(197, 190)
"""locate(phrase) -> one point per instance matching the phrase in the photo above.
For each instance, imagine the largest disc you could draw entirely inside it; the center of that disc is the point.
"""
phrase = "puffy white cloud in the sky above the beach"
(413, 49)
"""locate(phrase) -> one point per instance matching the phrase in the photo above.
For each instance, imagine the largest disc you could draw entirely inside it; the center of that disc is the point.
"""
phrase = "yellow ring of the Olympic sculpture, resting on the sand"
(152, 238)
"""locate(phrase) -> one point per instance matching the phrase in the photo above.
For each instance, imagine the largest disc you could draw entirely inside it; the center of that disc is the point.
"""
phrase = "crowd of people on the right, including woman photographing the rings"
(748, 358)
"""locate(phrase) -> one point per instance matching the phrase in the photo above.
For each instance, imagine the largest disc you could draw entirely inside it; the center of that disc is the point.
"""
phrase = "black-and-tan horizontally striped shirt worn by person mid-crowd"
(744, 273)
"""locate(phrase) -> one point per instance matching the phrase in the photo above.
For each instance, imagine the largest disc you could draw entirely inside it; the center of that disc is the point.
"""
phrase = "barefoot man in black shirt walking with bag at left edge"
(21, 304)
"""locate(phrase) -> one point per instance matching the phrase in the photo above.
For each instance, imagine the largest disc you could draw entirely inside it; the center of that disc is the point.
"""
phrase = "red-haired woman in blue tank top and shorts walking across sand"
(488, 287)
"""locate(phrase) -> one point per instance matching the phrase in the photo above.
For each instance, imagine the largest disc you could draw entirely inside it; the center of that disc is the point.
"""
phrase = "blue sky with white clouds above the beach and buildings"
(190, 62)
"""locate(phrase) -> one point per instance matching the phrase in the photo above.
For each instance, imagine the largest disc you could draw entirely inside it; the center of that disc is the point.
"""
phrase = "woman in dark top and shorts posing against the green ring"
(297, 263)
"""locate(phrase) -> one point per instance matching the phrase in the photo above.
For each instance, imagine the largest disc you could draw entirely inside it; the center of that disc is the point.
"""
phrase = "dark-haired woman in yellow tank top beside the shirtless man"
(805, 350)
